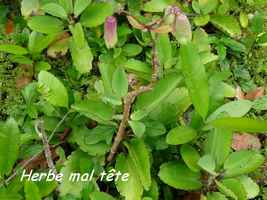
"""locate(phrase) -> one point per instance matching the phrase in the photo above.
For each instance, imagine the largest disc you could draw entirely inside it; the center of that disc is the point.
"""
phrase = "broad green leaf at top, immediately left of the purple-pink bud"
(96, 14)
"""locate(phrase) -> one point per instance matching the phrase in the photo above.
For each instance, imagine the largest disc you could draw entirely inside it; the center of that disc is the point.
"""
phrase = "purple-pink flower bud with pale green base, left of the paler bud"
(110, 32)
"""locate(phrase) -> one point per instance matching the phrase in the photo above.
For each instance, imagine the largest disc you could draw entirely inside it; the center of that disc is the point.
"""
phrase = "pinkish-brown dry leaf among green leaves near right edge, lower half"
(245, 141)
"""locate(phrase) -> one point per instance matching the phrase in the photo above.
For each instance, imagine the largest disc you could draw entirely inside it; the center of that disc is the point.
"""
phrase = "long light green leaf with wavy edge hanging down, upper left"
(81, 54)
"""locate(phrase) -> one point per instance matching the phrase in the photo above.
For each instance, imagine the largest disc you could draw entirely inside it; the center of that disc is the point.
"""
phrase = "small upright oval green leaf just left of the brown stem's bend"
(120, 82)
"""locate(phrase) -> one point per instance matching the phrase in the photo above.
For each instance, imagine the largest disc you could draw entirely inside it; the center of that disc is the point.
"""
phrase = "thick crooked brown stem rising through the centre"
(128, 101)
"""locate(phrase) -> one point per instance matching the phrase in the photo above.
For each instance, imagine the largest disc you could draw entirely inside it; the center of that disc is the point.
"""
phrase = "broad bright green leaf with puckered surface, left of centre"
(53, 89)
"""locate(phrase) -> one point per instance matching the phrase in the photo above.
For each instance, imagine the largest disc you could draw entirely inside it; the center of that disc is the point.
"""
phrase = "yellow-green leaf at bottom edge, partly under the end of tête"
(131, 189)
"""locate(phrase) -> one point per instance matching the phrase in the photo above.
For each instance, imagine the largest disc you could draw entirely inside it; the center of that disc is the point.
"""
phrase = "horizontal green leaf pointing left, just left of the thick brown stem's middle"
(94, 109)
